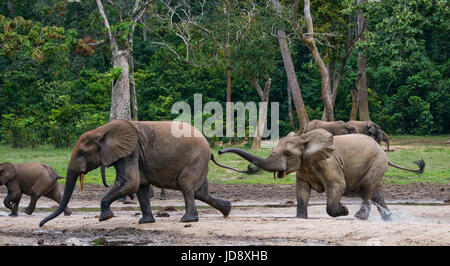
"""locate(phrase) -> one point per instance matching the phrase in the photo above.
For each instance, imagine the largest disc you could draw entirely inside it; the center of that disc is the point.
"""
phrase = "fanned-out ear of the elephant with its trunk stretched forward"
(318, 145)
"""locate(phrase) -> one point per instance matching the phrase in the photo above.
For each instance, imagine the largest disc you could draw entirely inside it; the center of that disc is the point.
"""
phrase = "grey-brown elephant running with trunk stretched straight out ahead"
(348, 165)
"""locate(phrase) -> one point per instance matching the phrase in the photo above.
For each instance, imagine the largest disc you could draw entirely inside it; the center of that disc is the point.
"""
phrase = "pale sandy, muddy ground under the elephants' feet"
(261, 215)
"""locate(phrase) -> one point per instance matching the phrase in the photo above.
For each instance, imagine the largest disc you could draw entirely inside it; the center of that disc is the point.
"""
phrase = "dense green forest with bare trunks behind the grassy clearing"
(60, 62)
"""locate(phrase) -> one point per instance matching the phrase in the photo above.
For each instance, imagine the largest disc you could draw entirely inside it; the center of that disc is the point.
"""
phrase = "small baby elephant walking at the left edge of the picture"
(33, 179)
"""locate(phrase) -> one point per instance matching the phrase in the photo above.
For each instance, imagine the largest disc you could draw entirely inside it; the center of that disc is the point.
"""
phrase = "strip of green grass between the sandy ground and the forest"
(435, 150)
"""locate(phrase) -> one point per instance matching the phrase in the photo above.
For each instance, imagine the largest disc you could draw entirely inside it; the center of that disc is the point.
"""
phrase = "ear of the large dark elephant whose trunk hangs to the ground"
(119, 139)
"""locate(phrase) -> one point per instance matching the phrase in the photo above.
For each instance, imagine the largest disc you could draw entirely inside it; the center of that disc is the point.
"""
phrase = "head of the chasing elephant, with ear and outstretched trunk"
(292, 151)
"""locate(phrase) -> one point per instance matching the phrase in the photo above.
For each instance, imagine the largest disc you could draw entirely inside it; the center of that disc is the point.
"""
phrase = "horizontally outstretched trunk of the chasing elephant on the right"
(273, 163)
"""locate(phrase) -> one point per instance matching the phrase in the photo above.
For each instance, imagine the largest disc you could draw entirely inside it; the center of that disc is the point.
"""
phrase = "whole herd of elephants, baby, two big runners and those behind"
(338, 158)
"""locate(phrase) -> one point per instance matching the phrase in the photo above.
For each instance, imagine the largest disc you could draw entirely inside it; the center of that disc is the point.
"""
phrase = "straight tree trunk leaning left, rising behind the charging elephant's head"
(291, 76)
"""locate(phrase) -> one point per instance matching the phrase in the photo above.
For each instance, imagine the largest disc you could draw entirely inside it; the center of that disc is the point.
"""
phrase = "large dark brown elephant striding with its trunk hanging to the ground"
(144, 154)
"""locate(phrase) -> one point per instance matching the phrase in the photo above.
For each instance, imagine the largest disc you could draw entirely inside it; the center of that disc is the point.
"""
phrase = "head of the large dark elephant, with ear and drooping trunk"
(102, 146)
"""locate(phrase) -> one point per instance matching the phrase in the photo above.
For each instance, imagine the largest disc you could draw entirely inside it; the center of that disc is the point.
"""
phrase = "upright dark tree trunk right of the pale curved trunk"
(361, 84)
